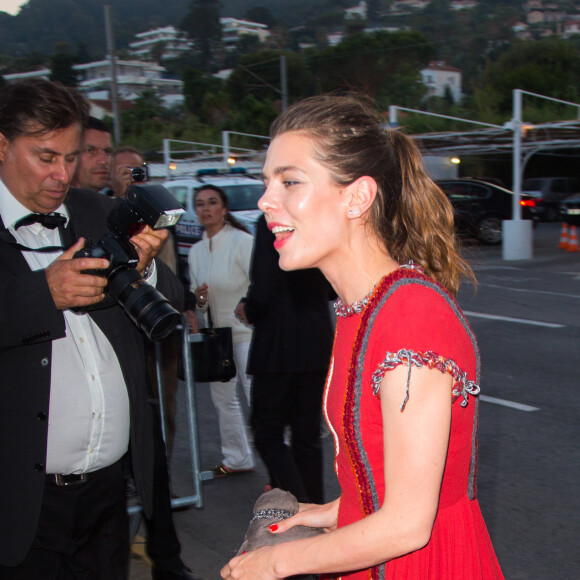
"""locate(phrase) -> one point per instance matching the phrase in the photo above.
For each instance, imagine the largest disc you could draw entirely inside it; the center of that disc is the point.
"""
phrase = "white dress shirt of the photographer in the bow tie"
(88, 421)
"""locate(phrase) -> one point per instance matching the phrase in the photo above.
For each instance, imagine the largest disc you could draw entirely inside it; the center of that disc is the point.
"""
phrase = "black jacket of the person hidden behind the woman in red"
(290, 311)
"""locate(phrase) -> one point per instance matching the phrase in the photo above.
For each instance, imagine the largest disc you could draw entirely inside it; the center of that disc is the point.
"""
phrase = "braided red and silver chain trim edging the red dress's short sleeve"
(462, 386)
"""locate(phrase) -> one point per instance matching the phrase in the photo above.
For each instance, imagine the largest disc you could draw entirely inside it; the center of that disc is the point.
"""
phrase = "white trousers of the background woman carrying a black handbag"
(232, 423)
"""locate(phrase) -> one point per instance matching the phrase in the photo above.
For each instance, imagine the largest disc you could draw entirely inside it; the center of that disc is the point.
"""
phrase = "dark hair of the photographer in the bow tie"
(37, 107)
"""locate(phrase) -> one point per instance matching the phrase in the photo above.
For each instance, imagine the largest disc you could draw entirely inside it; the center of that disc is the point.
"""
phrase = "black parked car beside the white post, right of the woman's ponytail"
(480, 207)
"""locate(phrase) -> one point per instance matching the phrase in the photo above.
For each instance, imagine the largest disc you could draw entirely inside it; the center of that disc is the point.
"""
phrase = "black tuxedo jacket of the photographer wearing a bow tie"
(29, 322)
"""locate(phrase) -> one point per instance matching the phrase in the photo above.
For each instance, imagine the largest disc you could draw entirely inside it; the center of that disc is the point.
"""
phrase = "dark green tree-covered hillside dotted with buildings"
(384, 65)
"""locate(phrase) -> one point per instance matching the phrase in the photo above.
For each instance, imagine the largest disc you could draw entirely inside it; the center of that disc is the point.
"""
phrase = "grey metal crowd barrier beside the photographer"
(198, 476)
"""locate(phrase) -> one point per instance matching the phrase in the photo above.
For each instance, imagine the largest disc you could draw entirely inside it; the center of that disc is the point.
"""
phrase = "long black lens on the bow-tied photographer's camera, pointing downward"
(145, 305)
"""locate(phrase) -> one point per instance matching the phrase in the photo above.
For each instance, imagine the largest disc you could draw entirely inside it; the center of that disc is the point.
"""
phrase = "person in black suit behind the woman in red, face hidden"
(289, 358)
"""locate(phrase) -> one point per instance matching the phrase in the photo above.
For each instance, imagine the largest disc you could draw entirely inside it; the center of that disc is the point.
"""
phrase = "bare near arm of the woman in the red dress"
(415, 449)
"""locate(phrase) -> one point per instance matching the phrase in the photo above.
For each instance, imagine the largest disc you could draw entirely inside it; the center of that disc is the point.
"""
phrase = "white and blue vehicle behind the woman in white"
(243, 193)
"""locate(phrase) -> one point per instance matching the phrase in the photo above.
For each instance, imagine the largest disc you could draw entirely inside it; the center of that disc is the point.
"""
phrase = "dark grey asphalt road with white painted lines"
(526, 315)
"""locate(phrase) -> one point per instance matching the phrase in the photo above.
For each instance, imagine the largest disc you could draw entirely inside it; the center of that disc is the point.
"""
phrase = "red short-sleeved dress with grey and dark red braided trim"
(409, 320)
